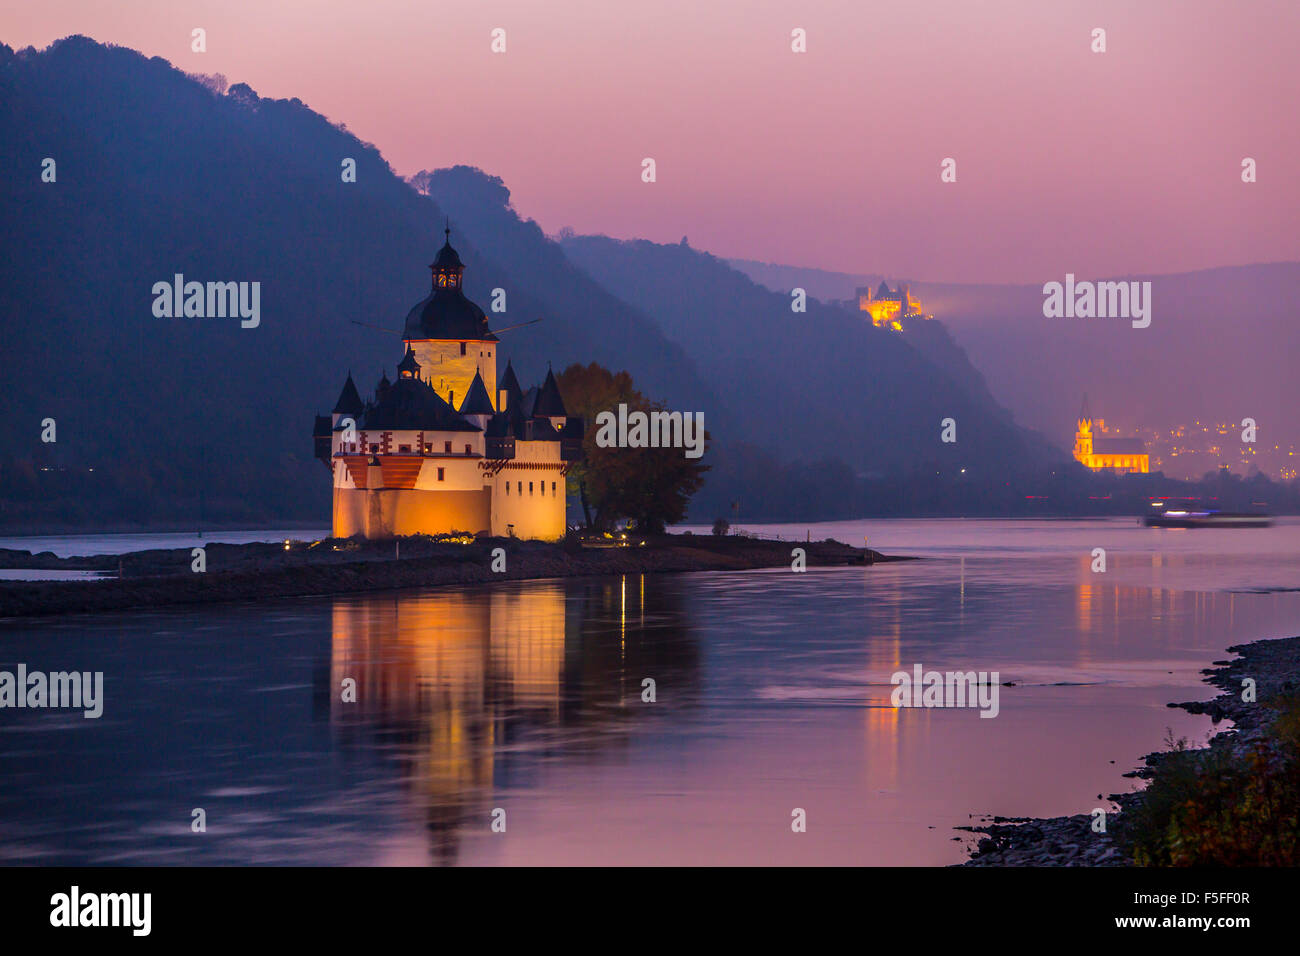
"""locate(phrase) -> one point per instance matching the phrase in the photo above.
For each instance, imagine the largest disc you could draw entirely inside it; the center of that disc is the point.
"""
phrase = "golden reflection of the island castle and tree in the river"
(467, 691)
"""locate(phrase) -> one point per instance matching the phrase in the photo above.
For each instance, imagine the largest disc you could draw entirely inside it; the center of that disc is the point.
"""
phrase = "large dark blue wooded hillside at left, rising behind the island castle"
(200, 421)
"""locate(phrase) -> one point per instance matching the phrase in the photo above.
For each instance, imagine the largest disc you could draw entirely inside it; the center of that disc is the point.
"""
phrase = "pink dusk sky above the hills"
(1067, 161)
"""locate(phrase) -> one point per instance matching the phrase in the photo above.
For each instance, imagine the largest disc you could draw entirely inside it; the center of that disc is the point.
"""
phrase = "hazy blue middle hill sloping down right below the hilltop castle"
(821, 384)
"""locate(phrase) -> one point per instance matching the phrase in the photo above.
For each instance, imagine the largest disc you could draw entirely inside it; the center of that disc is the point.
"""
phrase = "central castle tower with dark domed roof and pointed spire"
(448, 335)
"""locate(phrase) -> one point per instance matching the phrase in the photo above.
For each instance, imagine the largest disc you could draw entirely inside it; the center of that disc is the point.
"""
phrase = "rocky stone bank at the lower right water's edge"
(1275, 665)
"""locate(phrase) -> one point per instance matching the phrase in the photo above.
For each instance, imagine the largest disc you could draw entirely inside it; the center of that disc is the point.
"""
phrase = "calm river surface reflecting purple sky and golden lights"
(773, 693)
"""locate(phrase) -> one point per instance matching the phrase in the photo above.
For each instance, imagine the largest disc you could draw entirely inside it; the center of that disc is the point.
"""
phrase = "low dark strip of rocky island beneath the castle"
(297, 569)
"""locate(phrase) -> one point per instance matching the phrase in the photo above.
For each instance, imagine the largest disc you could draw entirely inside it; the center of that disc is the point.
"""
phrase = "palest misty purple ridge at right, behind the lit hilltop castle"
(1155, 377)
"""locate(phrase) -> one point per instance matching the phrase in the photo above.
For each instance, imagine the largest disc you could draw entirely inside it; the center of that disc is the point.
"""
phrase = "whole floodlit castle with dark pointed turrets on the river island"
(447, 447)
